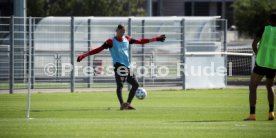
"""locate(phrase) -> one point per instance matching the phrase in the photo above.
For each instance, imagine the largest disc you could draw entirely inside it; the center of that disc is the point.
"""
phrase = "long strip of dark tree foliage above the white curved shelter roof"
(40, 8)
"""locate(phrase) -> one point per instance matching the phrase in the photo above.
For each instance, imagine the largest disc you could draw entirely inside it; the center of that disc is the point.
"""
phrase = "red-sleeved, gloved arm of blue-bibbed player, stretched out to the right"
(160, 38)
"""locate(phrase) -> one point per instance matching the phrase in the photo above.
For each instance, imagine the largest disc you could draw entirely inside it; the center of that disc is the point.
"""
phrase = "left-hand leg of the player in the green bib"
(254, 82)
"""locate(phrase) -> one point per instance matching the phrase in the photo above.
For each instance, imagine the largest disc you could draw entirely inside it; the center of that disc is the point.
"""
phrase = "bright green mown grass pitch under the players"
(191, 113)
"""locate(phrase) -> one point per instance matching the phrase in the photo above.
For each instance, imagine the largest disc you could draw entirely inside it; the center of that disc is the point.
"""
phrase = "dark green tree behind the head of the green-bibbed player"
(251, 15)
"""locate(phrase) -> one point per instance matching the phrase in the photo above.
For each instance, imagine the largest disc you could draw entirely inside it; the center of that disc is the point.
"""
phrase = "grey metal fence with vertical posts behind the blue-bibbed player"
(44, 50)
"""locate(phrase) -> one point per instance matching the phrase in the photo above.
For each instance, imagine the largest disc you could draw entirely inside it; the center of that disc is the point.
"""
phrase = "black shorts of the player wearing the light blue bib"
(126, 75)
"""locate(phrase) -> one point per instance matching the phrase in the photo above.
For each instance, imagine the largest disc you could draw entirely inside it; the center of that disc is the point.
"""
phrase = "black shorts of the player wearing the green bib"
(267, 72)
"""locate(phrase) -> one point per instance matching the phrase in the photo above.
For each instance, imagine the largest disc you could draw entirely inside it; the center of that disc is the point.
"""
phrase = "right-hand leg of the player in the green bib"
(270, 94)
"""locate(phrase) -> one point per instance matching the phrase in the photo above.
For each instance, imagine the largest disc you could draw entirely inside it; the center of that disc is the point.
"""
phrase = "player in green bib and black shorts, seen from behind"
(265, 66)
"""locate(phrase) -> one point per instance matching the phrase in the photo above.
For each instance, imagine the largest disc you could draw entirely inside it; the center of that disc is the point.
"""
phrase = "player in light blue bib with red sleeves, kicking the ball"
(118, 47)
